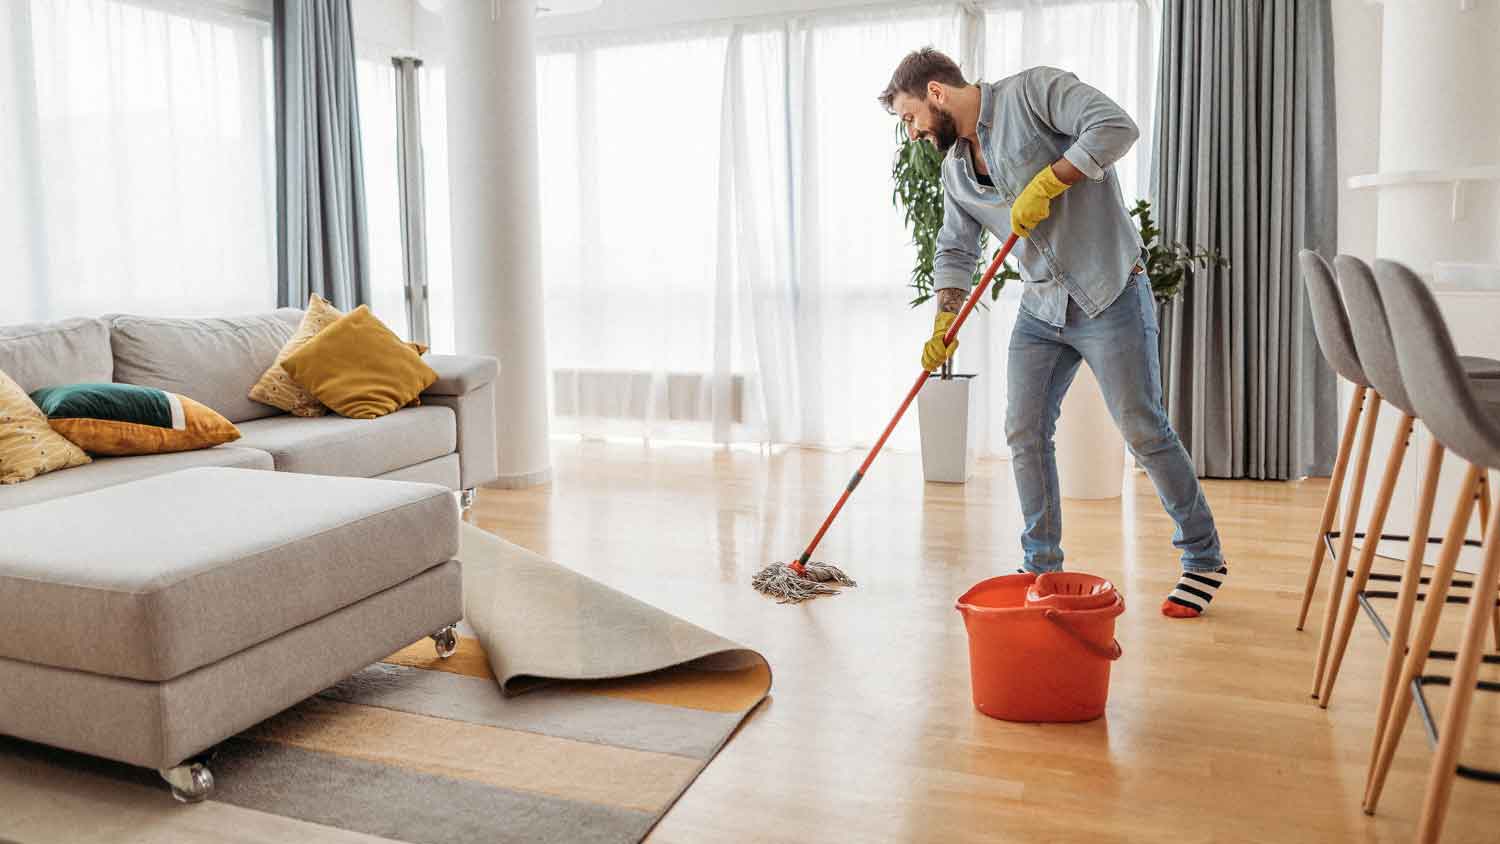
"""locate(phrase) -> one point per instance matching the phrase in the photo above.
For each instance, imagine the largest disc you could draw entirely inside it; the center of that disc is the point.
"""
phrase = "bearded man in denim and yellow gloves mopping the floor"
(1034, 155)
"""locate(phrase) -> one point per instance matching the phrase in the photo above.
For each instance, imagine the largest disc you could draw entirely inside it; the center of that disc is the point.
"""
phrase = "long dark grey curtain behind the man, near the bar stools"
(1246, 164)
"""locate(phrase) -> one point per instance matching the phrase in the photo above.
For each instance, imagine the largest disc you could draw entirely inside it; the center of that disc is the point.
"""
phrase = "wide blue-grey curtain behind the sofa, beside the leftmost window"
(320, 181)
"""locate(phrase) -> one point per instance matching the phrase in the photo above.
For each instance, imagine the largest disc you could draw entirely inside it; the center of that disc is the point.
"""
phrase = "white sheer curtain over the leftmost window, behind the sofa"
(137, 172)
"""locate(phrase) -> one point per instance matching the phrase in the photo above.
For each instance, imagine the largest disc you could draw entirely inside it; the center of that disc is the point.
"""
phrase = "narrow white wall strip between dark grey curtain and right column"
(1357, 76)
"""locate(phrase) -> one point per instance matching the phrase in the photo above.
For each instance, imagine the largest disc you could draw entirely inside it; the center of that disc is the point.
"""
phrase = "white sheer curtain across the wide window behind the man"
(731, 268)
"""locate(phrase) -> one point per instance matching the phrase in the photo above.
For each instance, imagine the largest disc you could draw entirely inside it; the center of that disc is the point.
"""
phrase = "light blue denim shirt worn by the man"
(1088, 245)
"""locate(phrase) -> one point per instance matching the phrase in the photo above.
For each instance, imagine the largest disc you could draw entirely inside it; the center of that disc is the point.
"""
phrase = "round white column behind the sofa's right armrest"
(497, 250)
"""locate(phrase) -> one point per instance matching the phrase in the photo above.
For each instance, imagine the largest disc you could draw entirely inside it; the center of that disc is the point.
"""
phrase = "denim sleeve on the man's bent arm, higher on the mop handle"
(1103, 130)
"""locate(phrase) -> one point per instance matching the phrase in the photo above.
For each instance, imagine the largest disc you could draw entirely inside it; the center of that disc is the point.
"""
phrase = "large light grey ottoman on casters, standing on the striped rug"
(149, 621)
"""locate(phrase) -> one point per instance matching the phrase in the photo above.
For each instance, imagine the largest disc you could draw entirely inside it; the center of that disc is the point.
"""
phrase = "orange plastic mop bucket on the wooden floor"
(1040, 648)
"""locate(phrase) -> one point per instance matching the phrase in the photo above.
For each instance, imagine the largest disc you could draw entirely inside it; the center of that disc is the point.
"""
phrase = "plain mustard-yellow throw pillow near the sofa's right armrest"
(359, 368)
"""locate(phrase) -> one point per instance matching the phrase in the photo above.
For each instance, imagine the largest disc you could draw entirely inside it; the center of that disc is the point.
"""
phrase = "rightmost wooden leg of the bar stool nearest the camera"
(1466, 671)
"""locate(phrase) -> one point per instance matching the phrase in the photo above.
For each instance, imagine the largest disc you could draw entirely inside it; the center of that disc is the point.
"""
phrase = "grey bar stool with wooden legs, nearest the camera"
(1465, 416)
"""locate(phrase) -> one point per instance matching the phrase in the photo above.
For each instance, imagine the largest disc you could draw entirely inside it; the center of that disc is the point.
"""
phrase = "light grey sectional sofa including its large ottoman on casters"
(158, 605)
